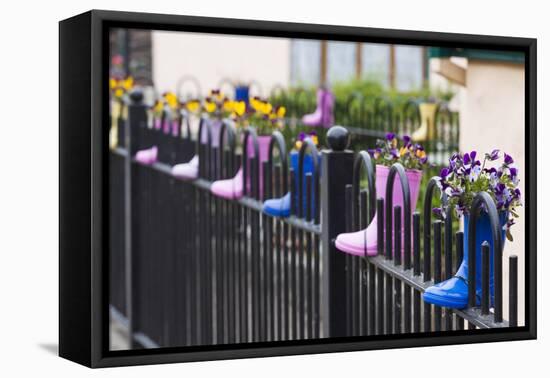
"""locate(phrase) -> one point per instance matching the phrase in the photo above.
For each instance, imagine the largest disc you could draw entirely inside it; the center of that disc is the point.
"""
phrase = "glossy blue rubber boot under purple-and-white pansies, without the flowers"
(453, 293)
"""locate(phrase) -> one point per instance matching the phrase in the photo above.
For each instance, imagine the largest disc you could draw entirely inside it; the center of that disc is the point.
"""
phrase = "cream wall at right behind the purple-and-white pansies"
(493, 116)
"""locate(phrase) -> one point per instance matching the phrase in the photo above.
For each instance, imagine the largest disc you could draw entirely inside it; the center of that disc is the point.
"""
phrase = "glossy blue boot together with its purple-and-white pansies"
(461, 181)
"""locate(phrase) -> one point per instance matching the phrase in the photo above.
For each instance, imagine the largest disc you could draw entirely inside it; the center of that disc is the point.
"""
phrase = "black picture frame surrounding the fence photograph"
(83, 108)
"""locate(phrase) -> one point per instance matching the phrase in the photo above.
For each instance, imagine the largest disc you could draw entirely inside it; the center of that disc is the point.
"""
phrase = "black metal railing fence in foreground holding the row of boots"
(189, 268)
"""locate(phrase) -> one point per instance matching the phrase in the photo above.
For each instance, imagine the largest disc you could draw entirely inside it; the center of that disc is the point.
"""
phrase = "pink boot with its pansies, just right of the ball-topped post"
(413, 158)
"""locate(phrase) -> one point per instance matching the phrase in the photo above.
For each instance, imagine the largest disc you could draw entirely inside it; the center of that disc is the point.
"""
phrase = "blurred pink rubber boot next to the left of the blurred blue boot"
(233, 188)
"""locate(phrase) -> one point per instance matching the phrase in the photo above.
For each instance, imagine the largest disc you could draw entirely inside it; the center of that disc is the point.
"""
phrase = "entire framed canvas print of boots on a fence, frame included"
(236, 188)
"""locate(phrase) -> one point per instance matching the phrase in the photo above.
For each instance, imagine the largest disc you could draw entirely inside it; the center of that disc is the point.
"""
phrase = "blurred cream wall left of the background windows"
(212, 58)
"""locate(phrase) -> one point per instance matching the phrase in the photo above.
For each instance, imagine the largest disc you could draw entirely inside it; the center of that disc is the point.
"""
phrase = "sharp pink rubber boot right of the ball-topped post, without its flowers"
(365, 241)
